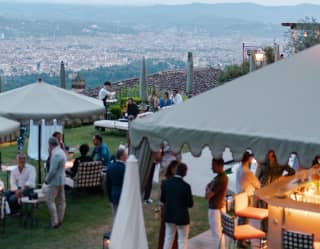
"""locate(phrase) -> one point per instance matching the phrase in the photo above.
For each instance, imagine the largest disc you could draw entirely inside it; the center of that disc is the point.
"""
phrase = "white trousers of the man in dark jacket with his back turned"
(183, 235)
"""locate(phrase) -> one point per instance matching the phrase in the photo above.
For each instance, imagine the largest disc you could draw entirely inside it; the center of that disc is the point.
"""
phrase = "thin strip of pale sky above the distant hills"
(151, 2)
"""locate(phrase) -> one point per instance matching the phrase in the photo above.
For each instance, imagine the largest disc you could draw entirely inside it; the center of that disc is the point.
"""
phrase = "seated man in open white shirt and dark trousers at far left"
(22, 182)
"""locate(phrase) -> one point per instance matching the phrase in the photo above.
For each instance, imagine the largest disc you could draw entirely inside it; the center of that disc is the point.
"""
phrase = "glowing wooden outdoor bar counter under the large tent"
(293, 203)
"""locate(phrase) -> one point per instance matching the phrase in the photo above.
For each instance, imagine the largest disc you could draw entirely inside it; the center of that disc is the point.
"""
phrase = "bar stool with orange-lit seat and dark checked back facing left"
(240, 232)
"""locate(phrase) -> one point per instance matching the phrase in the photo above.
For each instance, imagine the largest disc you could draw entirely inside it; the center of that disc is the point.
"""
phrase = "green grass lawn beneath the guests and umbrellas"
(87, 216)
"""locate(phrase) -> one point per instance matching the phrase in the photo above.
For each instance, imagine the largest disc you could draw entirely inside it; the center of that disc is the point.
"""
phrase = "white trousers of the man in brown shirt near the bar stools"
(214, 218)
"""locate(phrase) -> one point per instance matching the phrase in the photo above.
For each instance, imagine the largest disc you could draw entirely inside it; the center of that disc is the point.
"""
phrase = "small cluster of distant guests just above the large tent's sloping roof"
(156, 103)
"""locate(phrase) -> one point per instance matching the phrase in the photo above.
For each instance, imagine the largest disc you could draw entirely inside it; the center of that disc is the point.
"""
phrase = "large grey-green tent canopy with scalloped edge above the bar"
(275, 107)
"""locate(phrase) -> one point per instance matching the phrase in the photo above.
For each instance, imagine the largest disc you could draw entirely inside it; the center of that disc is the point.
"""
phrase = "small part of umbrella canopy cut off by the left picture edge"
(9, 129)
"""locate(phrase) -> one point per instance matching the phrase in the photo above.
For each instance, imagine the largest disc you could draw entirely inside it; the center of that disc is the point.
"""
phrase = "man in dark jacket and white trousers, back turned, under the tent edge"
(176, 197)
